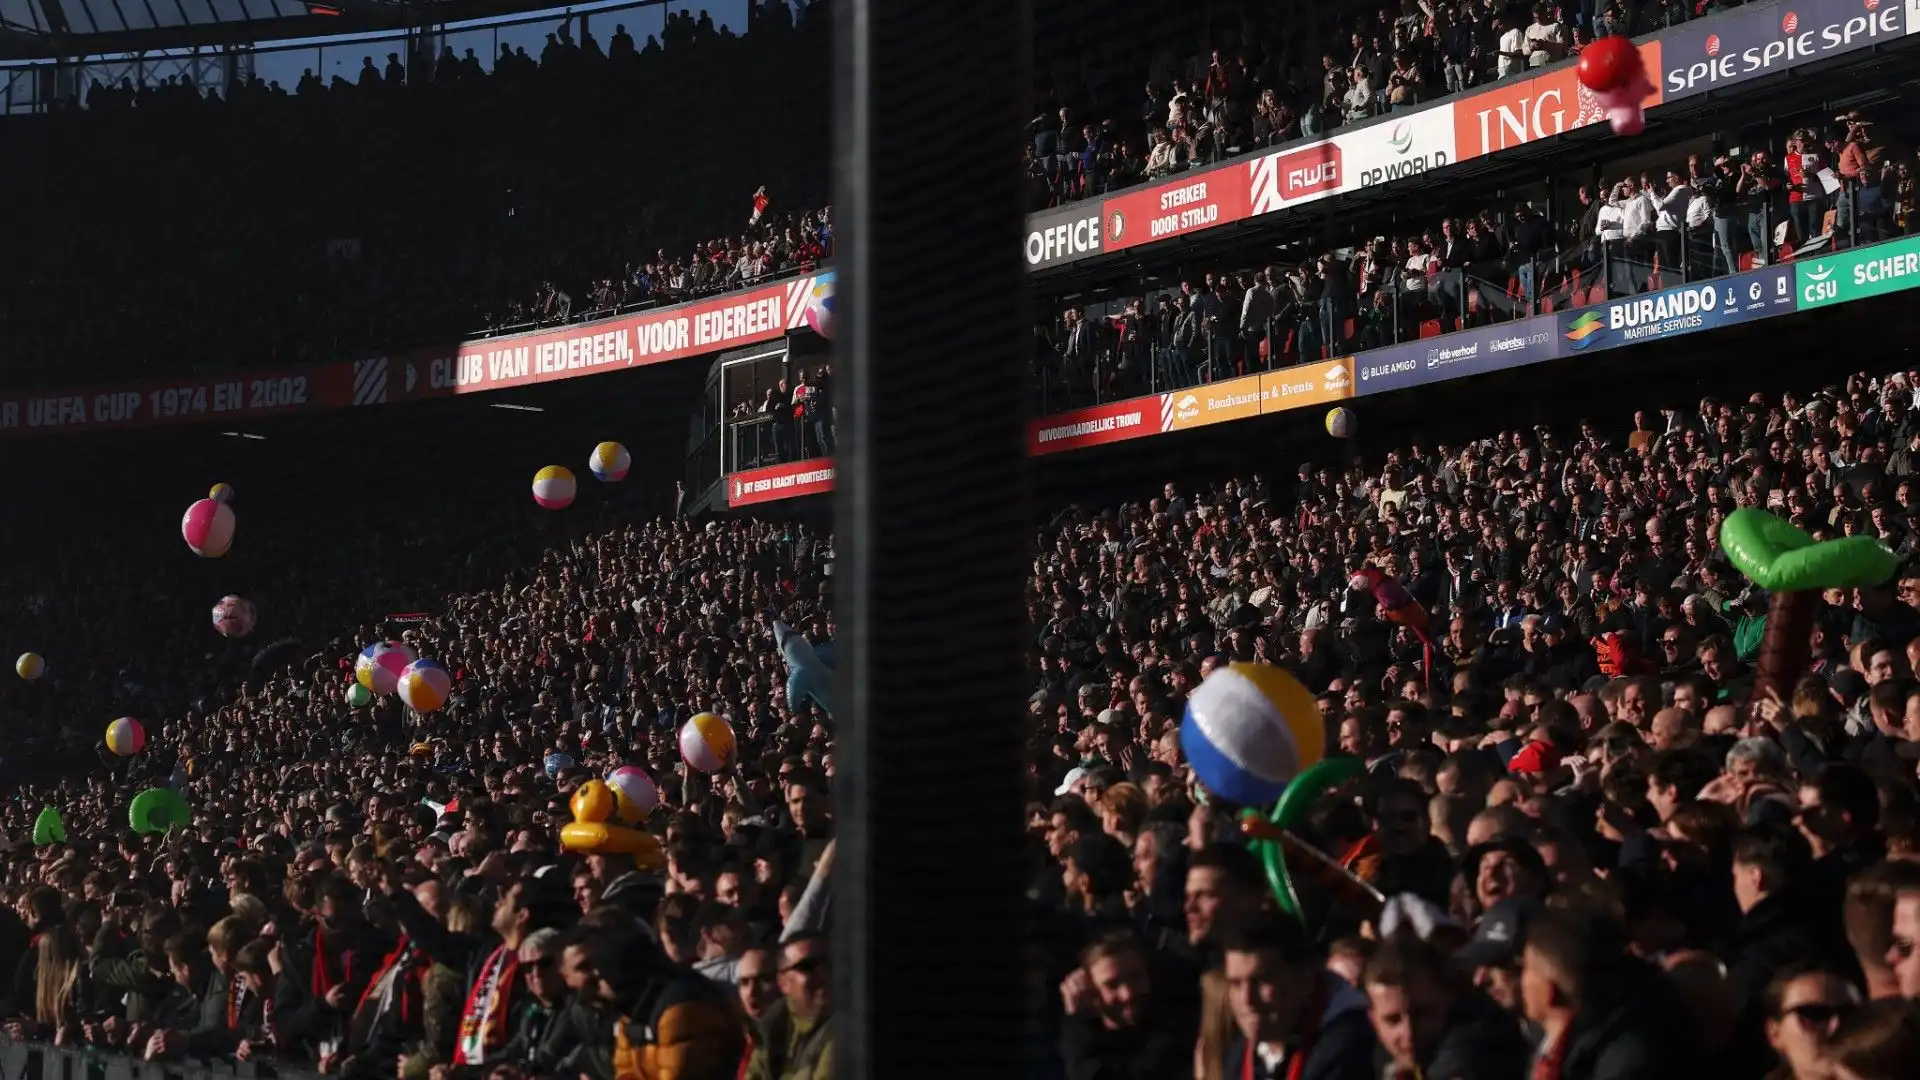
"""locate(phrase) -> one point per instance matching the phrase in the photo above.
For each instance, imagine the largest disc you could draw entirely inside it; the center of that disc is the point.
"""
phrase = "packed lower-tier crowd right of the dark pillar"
(1596, 854)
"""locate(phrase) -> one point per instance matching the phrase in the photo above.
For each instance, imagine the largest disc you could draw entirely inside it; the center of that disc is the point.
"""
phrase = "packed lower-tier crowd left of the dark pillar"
(366, 893)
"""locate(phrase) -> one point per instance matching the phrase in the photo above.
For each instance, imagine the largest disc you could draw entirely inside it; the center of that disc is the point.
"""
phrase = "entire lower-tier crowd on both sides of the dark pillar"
(1598, 856)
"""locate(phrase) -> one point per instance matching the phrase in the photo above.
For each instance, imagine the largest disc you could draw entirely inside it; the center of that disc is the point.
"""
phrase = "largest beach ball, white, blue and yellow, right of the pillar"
(1249, 731)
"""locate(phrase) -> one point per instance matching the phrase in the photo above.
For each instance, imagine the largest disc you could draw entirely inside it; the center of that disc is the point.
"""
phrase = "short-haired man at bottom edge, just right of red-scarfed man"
(1431, 1025)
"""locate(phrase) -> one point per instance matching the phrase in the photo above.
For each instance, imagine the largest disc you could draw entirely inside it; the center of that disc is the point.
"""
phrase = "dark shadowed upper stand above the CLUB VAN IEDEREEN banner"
(396, 212)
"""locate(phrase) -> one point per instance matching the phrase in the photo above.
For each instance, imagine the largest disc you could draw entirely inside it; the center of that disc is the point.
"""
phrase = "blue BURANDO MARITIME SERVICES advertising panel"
(1681, 310)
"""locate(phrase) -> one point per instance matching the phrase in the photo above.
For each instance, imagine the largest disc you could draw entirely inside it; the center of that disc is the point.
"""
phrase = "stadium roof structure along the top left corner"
(68, 30)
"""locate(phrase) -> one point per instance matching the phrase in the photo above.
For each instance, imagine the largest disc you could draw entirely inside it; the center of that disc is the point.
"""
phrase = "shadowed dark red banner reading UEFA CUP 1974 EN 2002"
(180, 401)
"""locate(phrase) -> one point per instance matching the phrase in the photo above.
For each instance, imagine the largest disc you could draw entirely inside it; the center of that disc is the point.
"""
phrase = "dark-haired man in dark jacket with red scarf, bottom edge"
(1295, 1019)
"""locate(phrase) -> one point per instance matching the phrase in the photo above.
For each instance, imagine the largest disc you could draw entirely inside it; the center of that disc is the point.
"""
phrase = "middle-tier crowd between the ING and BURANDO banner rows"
(1833, 185)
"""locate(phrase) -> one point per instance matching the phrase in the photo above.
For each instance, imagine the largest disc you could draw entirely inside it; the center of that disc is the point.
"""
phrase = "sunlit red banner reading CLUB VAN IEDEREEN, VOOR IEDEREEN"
(615, 345)
